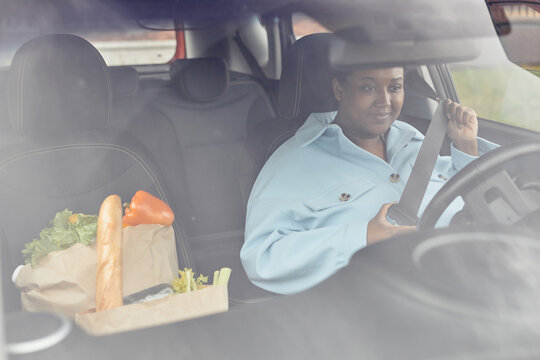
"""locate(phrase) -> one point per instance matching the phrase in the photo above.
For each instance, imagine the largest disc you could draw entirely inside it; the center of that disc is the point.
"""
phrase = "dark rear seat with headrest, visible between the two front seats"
(199, 121)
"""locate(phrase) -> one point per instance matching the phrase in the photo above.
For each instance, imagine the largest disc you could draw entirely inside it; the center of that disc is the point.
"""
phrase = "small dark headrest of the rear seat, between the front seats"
(200, 79)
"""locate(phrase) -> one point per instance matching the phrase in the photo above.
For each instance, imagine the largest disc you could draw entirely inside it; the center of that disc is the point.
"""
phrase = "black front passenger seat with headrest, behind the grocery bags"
(65, 154)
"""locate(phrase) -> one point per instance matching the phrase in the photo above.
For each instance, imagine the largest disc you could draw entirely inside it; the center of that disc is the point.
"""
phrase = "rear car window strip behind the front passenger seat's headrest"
(120, 43)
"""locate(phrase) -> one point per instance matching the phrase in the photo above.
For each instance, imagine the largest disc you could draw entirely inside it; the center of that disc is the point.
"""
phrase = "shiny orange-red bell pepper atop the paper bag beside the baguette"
(147, 209)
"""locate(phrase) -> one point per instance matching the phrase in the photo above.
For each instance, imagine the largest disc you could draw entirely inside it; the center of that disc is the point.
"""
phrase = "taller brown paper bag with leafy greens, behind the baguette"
(62, 266)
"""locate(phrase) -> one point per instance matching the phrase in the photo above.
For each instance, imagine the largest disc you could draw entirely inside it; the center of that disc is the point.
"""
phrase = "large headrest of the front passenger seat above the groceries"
(58, 83)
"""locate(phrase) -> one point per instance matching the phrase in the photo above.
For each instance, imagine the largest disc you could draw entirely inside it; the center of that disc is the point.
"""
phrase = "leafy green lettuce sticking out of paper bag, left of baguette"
(67, 229)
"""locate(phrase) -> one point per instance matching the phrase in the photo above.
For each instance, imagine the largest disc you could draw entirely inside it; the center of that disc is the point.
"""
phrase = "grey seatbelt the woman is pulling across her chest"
(405, 212)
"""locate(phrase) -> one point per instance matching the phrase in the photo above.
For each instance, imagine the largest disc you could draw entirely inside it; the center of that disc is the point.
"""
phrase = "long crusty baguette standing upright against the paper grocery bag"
(109, 254)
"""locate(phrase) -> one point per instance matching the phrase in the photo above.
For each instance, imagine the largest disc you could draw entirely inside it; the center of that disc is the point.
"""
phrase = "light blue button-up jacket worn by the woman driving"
(299, 231)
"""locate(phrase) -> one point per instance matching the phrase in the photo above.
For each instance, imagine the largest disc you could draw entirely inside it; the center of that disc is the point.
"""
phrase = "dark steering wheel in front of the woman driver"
(489, 193)
